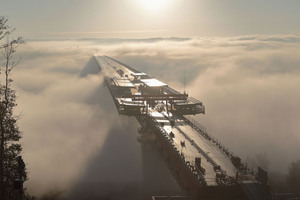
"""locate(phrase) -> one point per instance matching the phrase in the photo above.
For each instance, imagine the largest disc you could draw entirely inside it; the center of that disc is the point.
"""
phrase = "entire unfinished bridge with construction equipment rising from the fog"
(202, 166)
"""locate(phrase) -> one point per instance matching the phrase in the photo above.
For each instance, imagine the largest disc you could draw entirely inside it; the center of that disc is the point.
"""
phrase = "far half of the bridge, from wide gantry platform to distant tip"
(136, 93)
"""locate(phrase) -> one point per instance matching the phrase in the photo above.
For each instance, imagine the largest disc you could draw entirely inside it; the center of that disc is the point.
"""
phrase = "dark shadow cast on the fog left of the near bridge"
(115, 171)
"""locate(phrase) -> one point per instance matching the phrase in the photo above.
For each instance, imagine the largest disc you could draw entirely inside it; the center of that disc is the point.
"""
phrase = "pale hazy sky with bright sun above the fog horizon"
(151, 18)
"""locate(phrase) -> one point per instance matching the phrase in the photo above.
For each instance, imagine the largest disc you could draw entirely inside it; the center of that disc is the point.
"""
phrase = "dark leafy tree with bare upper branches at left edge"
(10, 134)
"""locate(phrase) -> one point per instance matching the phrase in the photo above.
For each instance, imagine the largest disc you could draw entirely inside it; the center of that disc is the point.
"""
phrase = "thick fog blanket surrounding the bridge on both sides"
(70, 126)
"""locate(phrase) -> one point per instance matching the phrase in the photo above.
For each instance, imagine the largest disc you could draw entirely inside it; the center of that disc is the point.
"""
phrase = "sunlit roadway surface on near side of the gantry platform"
(195, 146)
